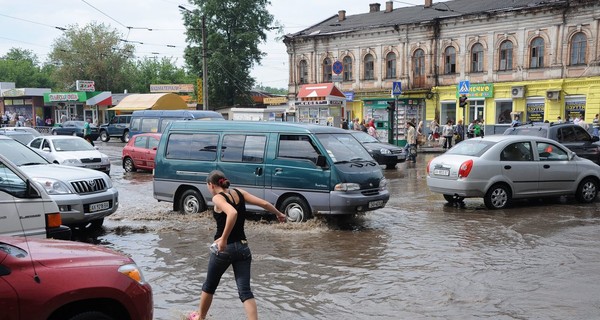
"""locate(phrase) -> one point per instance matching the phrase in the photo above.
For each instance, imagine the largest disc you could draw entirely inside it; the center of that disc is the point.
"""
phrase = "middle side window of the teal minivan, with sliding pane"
(243, 148)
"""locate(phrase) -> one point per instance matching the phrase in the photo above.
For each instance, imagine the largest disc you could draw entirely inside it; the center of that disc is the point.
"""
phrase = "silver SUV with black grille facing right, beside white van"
(83, 196)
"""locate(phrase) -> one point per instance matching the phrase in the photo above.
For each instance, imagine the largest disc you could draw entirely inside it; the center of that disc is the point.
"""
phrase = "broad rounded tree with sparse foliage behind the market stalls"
(93, 52)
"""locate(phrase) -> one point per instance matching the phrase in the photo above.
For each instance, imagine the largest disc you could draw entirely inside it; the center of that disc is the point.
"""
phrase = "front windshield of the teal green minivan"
(343, 147)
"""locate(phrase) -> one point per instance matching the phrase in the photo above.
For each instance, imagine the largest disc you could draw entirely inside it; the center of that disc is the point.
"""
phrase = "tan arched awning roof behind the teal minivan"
(154, 101)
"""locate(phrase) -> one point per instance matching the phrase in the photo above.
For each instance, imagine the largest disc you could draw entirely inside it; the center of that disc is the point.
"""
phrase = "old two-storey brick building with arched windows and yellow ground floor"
(537, 59)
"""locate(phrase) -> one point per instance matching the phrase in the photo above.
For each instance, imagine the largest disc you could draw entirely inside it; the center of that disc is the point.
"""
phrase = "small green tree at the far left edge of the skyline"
(23, 68)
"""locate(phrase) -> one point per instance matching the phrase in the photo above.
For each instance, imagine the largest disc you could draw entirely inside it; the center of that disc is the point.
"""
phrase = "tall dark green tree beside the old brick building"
(234, 29)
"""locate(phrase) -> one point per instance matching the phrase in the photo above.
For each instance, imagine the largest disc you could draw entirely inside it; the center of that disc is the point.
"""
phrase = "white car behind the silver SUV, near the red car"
(70, 151)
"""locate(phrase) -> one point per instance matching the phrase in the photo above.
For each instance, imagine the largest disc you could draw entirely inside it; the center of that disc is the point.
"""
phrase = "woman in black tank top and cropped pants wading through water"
(230, 243)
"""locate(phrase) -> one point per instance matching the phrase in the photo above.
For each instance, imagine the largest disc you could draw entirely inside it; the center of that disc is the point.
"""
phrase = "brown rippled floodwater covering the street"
(417, 258)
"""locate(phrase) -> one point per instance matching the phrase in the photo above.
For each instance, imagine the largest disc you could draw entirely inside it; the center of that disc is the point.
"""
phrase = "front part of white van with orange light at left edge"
(25, 208)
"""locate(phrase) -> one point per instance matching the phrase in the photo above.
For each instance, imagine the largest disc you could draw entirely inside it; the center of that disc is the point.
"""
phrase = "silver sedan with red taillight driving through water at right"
(500, 168)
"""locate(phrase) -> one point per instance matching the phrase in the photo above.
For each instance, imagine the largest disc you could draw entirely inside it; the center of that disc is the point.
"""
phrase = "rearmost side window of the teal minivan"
(192, 146)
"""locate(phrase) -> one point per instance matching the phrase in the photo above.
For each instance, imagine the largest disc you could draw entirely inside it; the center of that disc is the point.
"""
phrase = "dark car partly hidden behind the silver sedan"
(572, 136)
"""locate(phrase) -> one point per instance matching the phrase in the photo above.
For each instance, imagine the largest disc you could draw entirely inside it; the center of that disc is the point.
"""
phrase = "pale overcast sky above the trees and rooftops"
(30, 24)
